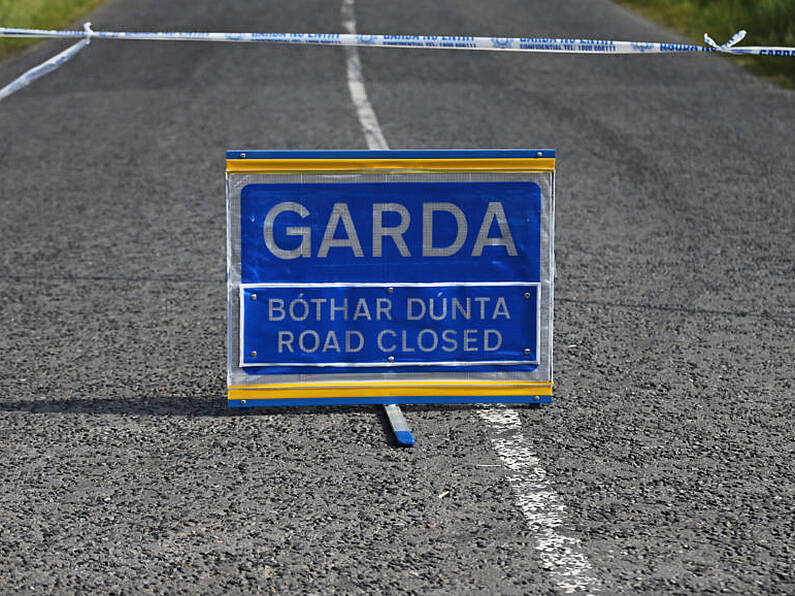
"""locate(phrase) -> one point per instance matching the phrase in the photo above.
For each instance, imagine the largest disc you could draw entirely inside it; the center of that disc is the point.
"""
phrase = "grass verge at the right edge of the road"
(768, 22)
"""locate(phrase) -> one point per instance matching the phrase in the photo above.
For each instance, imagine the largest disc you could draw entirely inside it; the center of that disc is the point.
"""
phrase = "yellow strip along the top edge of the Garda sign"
(284, 166)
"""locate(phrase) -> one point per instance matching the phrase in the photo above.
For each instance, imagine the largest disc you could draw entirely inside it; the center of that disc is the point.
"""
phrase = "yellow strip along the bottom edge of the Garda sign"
(408, 389)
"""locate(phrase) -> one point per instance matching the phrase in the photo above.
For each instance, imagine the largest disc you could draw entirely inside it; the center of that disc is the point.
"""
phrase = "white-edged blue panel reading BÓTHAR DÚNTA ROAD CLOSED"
(295, 329)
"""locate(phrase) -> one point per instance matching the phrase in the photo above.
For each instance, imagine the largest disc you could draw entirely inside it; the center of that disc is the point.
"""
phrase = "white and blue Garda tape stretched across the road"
(428, 42)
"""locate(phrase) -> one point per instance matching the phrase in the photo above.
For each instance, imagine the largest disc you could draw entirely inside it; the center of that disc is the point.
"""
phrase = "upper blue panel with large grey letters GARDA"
(399, 232)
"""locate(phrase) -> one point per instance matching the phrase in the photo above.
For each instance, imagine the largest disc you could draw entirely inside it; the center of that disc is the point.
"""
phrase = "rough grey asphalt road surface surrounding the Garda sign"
(670, 439)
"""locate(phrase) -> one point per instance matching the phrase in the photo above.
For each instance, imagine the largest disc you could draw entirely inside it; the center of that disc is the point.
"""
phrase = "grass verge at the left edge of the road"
(39, 14)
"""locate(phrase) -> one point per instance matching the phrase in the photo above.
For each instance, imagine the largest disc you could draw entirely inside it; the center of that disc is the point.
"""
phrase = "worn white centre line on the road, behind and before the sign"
(543, 510)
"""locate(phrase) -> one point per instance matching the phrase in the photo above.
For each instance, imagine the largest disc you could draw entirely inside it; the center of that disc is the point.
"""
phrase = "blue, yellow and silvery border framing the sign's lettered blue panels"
(387, 383)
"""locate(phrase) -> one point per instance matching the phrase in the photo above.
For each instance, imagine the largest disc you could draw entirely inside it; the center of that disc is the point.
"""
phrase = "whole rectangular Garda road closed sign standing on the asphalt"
(389, 277)
